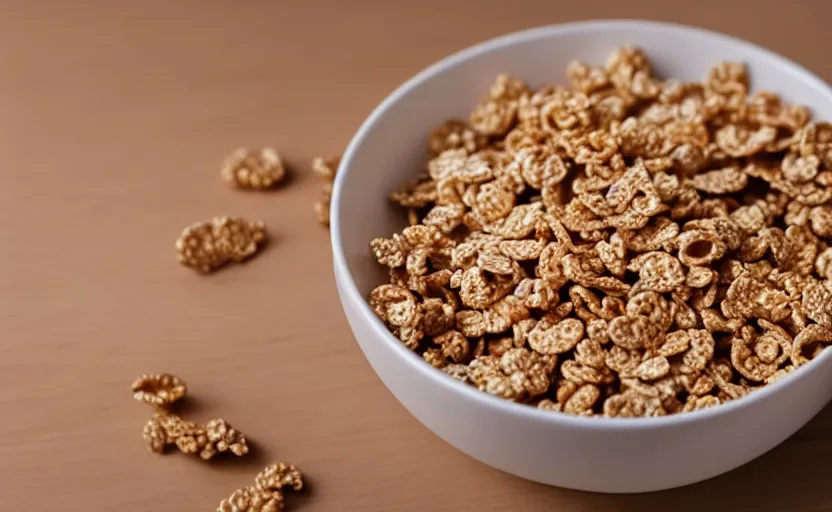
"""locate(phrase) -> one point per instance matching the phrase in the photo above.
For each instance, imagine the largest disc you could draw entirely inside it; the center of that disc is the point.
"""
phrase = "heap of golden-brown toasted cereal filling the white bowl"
(625, 247)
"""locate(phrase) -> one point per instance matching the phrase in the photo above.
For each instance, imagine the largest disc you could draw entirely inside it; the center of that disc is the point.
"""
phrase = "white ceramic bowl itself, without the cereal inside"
(595, 454)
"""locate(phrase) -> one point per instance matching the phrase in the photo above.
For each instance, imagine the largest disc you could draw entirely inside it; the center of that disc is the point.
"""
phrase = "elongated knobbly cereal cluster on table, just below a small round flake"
(165, 429)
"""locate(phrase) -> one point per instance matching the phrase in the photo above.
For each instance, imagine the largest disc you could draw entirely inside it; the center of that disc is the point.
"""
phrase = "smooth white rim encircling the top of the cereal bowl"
(349, 290)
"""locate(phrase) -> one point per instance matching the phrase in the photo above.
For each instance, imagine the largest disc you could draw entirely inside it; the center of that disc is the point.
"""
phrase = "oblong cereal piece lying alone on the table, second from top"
(207, 246)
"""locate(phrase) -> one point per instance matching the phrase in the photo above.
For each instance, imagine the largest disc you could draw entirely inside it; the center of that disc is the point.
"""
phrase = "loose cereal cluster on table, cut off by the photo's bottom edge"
(266, 495)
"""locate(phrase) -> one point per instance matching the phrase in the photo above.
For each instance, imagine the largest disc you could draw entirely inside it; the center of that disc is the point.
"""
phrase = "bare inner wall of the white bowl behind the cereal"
(390, 148)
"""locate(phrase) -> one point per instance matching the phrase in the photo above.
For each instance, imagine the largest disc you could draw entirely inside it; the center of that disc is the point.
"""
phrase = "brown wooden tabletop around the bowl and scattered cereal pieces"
(114, 117)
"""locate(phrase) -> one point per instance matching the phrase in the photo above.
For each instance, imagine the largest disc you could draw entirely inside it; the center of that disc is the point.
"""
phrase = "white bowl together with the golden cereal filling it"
(613, 279)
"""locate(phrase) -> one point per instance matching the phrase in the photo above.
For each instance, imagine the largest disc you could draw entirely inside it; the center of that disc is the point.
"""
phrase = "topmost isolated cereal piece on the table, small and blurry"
(253, 169)
